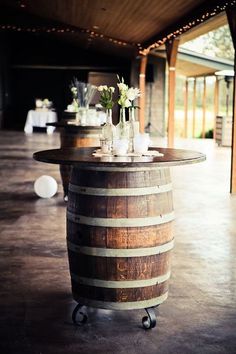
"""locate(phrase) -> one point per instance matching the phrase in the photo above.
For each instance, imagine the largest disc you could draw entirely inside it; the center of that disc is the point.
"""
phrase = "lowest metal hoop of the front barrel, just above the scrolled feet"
(121, 305)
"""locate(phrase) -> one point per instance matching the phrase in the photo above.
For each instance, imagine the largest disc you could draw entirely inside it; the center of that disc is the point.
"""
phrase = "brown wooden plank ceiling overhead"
(109, 25)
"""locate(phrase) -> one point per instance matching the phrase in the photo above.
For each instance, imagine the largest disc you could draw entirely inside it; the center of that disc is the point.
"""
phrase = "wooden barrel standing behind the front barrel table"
(76, 136)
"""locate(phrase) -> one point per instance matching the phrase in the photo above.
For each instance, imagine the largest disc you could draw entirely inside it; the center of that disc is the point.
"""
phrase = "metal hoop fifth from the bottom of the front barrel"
(120, 192)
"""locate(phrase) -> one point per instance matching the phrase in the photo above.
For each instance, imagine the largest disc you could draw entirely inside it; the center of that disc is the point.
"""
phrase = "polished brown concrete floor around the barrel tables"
(35, 297)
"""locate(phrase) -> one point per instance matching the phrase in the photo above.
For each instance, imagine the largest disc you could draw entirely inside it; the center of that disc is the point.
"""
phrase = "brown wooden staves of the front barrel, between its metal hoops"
(118, 268)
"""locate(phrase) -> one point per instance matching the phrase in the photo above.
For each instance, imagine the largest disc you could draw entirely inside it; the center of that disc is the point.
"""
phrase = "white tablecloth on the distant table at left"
(39, 118)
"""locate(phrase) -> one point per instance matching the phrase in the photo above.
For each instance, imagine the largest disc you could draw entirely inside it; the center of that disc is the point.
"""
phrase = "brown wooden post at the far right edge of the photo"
(231, 15)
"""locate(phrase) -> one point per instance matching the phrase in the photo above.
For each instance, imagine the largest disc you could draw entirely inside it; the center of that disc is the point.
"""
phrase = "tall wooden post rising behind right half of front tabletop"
(171, 53)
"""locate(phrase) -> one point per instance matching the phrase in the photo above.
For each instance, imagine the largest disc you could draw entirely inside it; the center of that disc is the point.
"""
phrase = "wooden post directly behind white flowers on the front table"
(142, 86)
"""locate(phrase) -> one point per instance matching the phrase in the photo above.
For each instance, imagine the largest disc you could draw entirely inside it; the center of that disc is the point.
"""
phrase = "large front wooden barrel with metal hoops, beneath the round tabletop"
(119, 236)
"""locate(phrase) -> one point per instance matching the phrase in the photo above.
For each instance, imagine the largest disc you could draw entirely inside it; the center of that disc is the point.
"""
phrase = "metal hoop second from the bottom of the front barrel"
(120, 283)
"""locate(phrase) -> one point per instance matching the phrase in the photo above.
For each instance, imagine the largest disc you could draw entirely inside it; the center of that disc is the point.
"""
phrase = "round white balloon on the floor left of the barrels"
(45, 186)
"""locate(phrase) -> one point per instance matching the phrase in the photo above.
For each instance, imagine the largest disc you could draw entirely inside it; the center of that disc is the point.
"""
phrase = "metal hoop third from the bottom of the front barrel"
(120, 252)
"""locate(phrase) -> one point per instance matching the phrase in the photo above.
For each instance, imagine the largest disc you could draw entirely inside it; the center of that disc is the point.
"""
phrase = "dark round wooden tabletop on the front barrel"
(83, 157)
